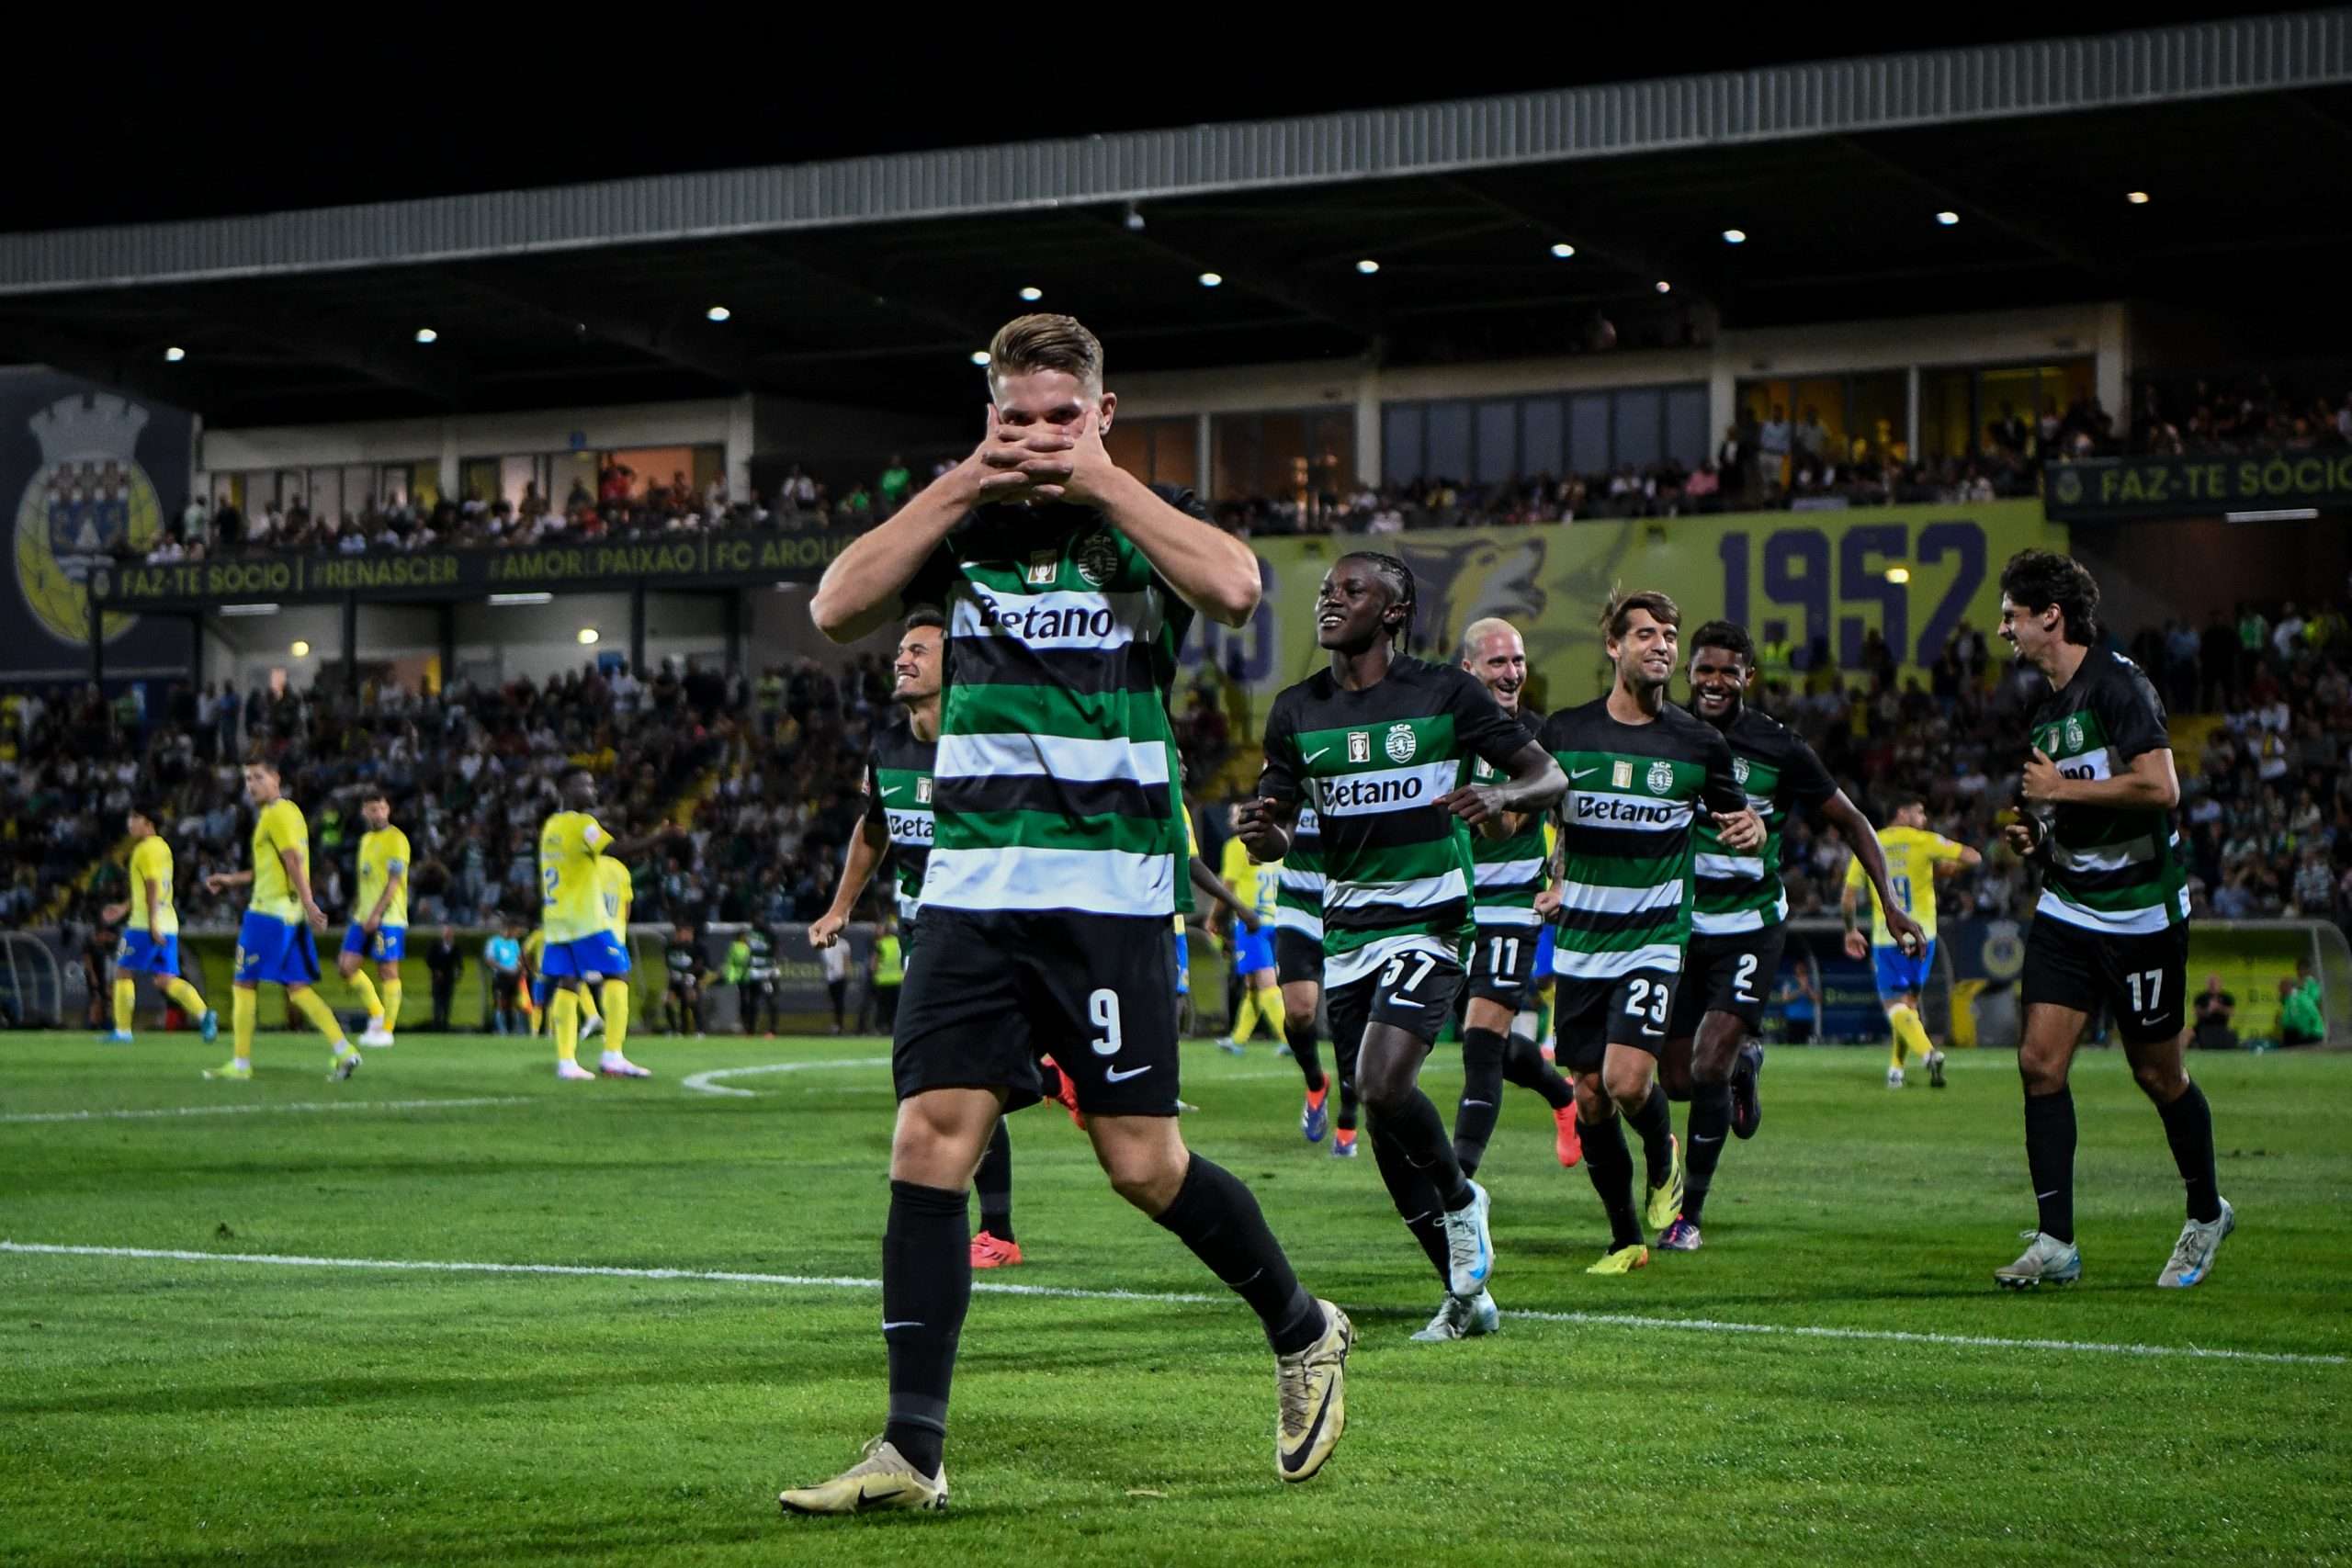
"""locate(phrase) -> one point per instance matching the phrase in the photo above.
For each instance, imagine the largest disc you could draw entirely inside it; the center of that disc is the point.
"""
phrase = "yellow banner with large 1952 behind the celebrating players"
(1793, 577)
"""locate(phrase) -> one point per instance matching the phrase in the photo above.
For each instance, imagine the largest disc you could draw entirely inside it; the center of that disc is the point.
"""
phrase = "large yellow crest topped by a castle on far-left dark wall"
(88, 502)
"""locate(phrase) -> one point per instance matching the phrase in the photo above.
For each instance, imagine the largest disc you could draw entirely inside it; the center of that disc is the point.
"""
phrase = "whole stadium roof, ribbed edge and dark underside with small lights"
(876, 279)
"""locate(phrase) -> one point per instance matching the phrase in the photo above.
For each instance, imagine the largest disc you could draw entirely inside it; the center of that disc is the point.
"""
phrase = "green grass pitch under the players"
(232, 1412)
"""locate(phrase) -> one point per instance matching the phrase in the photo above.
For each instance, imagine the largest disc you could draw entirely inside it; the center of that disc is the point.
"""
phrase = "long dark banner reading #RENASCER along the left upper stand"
(709, 561)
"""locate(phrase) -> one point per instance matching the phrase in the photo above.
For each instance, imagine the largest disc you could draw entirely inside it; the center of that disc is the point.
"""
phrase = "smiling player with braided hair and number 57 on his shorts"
(1379, 746)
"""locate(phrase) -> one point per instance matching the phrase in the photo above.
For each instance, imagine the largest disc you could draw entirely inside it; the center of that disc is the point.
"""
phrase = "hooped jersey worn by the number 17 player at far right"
(2113, 871)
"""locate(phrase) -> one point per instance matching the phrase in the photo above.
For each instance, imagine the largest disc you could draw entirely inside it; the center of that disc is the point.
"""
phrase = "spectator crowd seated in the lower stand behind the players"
(766, 772)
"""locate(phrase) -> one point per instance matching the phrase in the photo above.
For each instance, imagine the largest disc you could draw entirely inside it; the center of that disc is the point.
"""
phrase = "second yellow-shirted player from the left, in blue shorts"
(279, 944)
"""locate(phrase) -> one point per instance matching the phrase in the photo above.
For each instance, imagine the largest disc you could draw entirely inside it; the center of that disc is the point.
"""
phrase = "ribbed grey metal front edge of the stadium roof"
(2205, 60)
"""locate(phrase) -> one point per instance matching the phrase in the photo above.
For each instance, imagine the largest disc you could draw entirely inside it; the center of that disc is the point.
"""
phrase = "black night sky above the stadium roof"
(201, 121)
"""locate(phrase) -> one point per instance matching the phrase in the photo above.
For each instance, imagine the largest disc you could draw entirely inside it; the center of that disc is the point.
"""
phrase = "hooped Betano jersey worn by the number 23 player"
(1626, 836)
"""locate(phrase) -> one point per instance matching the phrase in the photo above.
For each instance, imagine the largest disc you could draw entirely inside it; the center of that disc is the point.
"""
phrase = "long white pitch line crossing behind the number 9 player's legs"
(1165, 1299)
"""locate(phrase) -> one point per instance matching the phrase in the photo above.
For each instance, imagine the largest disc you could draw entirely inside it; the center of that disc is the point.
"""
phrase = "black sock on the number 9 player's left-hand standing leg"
(926, 1294)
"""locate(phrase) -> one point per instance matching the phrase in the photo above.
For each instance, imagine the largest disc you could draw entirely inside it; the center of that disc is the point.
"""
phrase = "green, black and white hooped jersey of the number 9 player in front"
(1055, 782)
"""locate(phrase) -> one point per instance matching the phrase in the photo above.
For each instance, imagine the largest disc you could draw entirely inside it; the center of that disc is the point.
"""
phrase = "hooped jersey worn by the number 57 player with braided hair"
(1372, 763)
